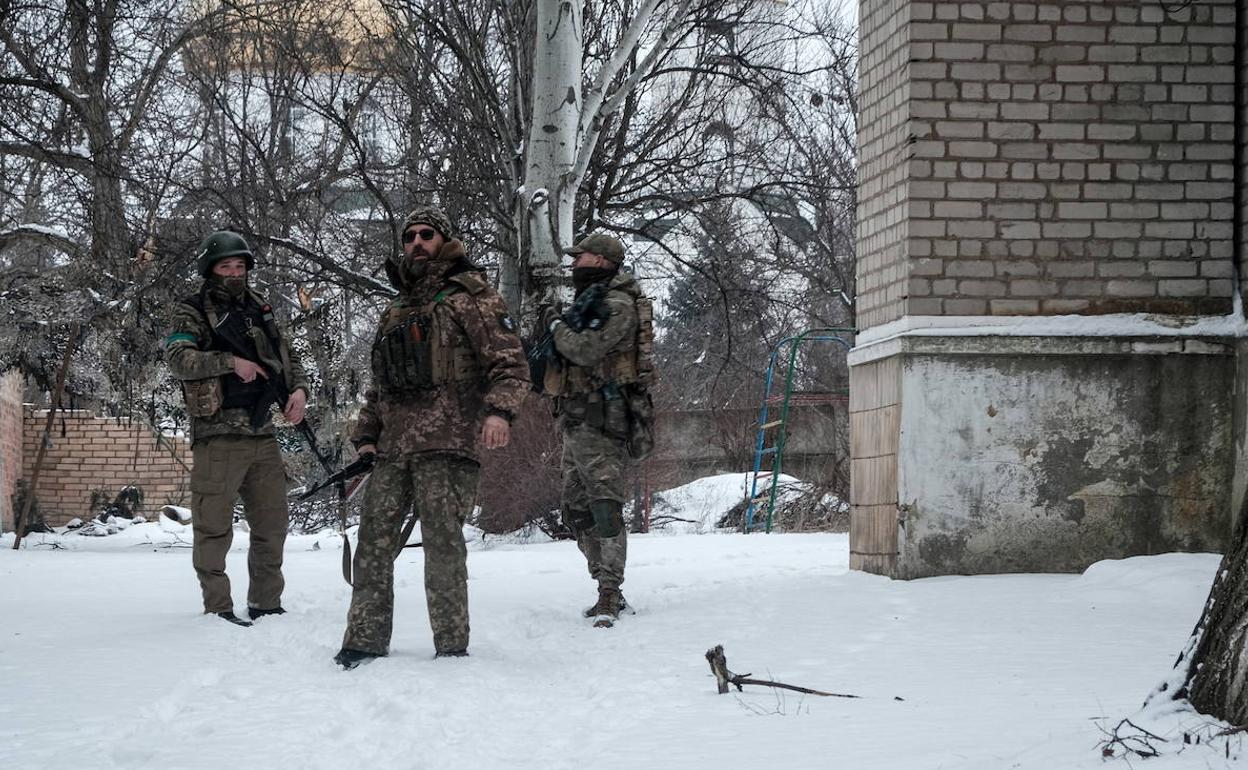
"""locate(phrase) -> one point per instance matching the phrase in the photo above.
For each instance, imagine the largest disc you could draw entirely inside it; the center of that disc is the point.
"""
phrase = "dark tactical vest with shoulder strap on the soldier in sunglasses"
(411, 355)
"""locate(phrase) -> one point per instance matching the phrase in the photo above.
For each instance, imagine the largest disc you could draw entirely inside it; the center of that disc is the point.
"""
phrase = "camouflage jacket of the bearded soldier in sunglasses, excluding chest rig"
(467, 315)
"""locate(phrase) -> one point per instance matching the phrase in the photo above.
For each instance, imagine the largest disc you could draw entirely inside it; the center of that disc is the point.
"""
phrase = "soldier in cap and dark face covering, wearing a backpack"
(600, 400)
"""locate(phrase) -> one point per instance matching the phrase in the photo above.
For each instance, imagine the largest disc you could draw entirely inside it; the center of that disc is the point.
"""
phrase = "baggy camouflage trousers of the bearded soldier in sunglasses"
(442, 491)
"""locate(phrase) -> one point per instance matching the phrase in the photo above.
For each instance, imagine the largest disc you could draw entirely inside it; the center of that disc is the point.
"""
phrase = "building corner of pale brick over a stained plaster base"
(1034, 177)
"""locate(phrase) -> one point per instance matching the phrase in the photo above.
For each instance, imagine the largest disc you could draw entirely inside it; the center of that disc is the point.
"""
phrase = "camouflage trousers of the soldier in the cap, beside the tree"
(593, 495)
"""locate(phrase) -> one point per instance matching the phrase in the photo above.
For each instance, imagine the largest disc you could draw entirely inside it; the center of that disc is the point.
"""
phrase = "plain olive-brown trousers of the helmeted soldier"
(228, 467)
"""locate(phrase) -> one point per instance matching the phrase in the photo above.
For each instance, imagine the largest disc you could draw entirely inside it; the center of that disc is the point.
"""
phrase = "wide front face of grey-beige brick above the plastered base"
(1070, 158)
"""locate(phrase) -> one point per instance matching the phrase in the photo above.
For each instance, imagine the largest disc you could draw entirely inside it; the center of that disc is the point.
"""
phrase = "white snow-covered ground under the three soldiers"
(105, 661)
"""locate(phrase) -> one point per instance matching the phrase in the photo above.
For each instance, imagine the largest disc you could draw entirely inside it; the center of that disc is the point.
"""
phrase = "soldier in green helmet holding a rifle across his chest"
(234, 365)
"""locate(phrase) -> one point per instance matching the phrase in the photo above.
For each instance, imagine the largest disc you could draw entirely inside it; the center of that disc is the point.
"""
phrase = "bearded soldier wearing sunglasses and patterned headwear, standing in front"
(449, 373)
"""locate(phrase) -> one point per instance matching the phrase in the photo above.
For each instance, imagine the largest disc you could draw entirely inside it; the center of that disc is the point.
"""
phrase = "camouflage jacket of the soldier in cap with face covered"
(592, 353)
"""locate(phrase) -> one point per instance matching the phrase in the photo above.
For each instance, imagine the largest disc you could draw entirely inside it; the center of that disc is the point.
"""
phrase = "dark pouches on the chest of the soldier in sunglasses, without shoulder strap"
(410, 360)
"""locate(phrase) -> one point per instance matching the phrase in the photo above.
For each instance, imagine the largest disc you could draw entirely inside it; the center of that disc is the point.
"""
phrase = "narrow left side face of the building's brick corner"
(883, 139)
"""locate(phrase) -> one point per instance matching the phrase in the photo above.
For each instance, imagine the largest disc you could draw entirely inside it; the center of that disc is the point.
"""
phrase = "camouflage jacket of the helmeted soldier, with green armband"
(193, 356)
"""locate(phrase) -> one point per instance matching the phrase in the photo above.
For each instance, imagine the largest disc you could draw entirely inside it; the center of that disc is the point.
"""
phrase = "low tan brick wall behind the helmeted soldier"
(97, 454)
